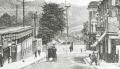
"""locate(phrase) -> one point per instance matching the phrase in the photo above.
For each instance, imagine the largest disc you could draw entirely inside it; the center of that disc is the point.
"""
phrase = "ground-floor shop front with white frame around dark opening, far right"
(112, 55)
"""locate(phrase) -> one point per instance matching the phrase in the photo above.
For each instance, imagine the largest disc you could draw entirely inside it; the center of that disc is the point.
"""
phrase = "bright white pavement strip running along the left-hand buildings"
(27, 62)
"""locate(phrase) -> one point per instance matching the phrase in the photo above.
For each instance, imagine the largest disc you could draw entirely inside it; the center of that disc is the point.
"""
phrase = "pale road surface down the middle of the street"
(64, 61)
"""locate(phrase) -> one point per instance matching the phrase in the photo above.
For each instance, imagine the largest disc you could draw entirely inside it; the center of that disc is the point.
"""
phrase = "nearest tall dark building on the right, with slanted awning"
(107, 29)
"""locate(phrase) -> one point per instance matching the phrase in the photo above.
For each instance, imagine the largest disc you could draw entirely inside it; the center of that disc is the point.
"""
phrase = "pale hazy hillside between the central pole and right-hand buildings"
(77, 16)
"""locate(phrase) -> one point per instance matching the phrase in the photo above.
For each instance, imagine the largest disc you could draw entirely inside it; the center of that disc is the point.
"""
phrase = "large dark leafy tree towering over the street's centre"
(51, 22)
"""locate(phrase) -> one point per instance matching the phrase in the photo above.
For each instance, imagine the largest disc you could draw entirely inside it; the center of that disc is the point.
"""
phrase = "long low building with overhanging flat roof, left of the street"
(16, 43)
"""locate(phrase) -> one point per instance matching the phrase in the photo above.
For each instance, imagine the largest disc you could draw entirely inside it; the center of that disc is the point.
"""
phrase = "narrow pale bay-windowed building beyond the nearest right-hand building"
(92, 7)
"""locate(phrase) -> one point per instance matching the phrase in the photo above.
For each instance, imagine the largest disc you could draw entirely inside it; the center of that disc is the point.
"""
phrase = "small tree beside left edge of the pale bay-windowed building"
(85, 35)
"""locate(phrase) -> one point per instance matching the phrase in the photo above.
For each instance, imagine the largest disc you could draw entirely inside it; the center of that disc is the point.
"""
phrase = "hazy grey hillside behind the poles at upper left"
(9, 6)
